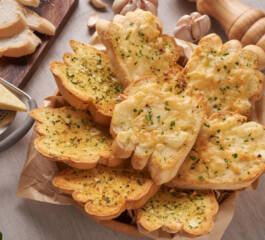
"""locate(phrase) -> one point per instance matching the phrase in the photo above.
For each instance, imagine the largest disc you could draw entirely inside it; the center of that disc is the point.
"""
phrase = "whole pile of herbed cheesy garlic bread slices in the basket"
(139, 133)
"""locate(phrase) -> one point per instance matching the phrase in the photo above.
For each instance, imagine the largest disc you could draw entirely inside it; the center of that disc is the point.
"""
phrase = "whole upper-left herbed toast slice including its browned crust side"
(86, 80)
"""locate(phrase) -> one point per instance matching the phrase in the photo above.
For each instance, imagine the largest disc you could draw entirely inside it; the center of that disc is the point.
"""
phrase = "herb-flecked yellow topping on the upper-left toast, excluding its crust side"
(88, 75)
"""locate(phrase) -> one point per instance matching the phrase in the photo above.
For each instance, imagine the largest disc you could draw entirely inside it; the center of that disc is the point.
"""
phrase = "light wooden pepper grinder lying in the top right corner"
(240, 21)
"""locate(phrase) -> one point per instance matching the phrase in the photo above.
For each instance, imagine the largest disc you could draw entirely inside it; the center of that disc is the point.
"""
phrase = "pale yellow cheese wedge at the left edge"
(8, 101)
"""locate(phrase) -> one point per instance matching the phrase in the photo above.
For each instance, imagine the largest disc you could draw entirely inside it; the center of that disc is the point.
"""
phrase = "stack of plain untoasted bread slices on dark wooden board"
(17, 24)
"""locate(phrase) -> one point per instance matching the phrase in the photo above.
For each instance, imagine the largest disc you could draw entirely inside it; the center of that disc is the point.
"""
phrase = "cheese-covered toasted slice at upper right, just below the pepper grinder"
(226, 74)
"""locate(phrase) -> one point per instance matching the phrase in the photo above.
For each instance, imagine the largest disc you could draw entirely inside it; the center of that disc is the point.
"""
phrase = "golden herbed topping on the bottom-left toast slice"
(103, 186)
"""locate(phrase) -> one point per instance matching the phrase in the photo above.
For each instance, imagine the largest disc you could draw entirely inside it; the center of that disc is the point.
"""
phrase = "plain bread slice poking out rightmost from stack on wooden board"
(37, 23)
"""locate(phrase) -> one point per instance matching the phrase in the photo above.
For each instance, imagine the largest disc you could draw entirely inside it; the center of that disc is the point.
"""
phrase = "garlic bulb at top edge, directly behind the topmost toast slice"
(124, 6)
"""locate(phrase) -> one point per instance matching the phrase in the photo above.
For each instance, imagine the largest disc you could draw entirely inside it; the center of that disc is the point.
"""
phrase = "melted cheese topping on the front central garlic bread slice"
(158, 120)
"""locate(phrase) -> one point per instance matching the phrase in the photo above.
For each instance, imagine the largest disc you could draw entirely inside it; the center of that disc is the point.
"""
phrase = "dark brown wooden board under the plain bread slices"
(19, 70)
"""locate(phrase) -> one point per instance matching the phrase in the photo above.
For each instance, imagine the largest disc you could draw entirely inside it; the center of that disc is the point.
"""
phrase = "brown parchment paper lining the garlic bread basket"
(36, 184)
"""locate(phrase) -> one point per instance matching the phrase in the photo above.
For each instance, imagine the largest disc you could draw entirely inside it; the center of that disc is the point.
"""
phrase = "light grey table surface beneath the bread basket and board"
(22, 219)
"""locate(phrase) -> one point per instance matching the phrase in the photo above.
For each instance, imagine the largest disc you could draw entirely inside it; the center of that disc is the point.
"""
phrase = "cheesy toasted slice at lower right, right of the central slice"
(229, 154)
